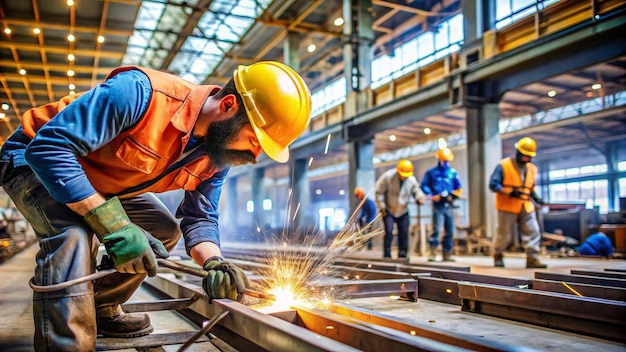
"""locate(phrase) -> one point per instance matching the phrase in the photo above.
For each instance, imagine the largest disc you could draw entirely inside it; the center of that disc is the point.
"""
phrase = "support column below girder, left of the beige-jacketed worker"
(361, 170)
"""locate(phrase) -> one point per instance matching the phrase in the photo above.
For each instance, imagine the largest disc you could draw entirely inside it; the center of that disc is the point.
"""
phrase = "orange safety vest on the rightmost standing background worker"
(512, 179)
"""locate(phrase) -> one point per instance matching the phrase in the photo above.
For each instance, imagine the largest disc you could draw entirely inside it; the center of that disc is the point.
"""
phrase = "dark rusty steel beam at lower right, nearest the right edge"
(590, 316)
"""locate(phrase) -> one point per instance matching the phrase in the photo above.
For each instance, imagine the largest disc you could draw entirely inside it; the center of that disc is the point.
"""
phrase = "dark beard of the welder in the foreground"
(222, 133)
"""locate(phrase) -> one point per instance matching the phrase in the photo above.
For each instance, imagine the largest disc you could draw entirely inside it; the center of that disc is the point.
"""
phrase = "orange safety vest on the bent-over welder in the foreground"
(147, 149)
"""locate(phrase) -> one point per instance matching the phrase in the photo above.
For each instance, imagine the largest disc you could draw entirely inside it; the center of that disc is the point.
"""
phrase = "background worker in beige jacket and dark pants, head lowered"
(394, 190)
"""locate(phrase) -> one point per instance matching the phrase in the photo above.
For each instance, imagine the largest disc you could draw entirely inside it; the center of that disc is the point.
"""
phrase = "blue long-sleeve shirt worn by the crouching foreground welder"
(91, 121)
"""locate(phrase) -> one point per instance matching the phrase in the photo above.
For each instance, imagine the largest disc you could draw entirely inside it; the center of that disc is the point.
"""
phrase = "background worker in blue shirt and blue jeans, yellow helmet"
(443, 186)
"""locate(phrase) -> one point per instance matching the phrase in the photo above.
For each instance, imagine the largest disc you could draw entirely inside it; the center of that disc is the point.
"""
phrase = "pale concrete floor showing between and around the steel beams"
(16, 328)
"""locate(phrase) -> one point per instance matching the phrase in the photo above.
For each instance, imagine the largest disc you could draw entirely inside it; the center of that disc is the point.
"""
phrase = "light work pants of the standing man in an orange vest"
(528, 228)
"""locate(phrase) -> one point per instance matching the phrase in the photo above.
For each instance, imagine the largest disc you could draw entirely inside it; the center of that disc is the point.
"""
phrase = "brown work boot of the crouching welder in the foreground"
(124, 325)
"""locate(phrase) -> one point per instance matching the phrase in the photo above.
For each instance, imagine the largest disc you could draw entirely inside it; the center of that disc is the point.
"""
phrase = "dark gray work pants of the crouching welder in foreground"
(66, 320)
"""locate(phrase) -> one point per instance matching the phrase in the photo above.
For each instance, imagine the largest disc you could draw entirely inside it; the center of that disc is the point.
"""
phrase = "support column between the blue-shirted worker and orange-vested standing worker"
(484, 152)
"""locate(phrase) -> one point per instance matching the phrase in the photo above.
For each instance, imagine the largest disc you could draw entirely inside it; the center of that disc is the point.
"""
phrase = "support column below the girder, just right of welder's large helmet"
(300, 201)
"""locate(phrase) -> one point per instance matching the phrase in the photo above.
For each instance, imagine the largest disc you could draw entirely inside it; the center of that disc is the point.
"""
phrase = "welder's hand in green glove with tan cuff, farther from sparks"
(126, 243)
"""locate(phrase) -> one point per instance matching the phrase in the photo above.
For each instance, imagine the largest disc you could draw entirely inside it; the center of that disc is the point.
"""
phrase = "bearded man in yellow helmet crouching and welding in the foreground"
(86, 165)
